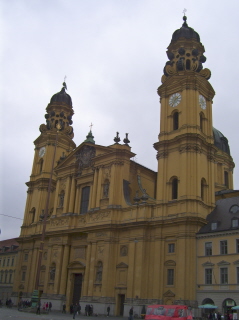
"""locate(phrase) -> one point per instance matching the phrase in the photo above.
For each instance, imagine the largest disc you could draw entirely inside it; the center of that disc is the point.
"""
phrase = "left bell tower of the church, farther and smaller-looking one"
(54, 142)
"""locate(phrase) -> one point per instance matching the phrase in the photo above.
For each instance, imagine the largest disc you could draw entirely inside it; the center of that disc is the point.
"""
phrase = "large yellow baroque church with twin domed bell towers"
(117, 233)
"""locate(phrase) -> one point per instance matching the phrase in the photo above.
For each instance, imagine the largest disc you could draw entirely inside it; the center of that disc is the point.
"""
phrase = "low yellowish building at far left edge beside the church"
(8, 263)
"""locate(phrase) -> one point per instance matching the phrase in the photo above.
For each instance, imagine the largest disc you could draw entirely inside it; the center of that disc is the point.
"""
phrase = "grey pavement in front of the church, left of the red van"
(14, 314)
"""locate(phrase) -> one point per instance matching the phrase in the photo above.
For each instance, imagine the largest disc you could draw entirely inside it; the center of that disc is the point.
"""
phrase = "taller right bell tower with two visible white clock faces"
(185, 150)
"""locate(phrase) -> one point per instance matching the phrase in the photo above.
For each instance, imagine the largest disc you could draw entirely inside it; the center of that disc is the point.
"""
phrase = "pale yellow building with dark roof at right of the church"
(218, 255)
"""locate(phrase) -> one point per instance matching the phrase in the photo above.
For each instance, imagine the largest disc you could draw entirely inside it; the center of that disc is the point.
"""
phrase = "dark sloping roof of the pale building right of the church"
(225, 211)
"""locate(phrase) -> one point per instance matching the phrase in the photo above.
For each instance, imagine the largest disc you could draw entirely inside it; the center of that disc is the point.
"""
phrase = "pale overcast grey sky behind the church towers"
(112, 53)
